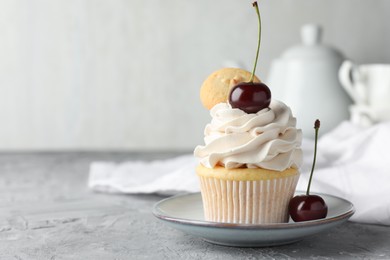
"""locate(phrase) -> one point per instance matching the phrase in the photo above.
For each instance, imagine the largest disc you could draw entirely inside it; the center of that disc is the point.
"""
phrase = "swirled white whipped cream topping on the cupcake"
(268, 139)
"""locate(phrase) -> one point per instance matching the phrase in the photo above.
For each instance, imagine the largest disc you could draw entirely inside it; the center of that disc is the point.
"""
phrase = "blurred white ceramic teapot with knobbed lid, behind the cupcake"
(305, 77)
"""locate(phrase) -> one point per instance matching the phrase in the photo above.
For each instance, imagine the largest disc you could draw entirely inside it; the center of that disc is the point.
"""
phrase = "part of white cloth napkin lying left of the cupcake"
(163, 176)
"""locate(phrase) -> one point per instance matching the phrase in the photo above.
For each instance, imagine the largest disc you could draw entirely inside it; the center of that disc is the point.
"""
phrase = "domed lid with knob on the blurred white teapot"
(311, 47)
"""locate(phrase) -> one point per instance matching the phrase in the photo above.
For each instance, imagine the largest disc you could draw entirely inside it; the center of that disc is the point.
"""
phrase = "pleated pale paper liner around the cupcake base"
(247, 202)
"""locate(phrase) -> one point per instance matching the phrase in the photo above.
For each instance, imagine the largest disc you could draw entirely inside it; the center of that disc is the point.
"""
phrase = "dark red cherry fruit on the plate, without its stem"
(307, 207)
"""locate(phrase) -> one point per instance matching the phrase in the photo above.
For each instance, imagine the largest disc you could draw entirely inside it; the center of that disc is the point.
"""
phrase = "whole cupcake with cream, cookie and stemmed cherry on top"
(249, 165)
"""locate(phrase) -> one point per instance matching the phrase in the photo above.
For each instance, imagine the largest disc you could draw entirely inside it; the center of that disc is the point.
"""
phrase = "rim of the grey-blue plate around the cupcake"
(160, 215)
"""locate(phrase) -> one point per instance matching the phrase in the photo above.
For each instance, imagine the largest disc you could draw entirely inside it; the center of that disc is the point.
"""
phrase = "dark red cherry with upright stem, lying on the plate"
(308, 207)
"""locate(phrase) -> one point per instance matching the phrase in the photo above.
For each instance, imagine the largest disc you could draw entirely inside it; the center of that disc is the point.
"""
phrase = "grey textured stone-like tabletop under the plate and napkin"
(47, 212)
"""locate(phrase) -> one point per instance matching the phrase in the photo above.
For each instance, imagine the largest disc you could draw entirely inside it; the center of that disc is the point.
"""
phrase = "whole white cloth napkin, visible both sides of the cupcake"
(352, 163)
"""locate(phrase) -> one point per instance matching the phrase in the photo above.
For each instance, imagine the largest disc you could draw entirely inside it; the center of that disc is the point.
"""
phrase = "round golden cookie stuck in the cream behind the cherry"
(216, 88)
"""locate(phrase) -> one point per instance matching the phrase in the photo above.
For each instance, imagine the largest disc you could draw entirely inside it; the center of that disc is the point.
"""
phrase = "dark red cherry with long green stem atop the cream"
(249, 96)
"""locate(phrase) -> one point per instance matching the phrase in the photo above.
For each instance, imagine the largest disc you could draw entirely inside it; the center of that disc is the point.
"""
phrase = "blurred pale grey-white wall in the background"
(125, 74)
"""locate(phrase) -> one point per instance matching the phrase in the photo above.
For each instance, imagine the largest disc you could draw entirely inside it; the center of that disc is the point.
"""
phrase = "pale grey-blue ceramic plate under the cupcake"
(185, 213)
